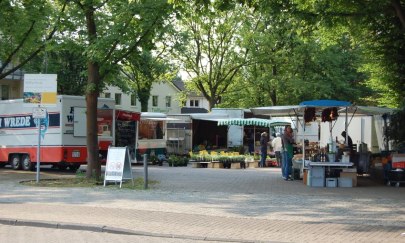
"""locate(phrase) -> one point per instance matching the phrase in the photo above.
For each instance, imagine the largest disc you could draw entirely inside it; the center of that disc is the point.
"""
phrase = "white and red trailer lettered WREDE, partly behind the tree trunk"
(63, 132)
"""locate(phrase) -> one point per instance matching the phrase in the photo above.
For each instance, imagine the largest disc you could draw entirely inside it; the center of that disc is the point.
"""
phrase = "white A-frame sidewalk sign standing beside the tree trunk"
(118, 166)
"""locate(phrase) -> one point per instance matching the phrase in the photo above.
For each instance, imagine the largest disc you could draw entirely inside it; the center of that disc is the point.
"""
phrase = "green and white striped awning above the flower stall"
(252, 122)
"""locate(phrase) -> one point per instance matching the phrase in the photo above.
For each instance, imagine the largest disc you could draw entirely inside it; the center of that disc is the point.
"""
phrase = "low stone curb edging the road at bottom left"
(106, 229)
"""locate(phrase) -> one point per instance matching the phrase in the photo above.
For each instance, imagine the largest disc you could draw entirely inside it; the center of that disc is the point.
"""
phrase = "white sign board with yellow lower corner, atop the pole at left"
(40, 89)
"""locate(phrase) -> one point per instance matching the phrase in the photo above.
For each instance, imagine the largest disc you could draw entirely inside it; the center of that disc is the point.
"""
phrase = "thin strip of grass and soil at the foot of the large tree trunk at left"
(80, 181)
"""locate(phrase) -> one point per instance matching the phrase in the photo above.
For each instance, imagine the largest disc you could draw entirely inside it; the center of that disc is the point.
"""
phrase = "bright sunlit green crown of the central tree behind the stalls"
(208, 47)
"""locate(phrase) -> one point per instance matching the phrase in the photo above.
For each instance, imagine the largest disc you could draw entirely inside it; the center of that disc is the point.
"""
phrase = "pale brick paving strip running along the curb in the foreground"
(192, 226)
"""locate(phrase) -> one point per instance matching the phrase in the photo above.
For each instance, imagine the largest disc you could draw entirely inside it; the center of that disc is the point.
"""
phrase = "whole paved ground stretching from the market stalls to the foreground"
(191, 205)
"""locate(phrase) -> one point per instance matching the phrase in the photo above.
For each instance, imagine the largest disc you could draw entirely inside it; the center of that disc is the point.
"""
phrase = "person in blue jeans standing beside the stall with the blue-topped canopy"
(288, 152)
